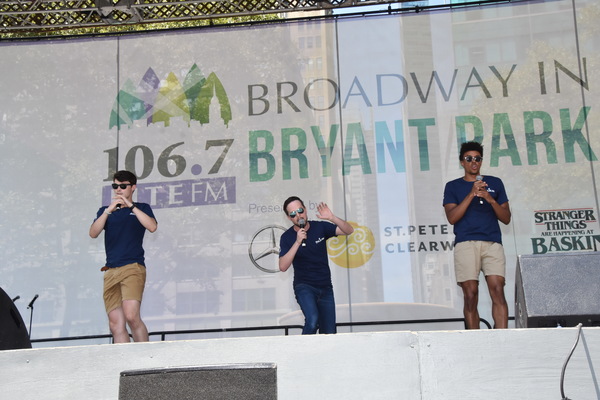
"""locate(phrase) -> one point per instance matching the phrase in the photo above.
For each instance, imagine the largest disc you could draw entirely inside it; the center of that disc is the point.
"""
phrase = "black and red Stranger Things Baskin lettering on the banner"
(565, 230)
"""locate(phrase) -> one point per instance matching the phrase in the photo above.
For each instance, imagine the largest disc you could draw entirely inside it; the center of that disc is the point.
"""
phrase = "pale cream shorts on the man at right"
(473, 256)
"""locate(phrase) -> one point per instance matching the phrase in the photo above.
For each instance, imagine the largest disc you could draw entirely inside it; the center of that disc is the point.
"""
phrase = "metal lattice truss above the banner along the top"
(45, 15)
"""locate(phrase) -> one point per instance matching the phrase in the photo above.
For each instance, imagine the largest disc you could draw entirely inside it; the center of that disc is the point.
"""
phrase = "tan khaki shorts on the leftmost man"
(123, 283)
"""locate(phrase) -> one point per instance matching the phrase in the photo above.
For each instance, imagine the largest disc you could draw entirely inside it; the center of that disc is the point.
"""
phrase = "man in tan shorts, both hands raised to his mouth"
(124, 223)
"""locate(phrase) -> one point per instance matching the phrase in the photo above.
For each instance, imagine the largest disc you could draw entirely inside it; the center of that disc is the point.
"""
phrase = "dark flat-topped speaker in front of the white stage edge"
(226, 382)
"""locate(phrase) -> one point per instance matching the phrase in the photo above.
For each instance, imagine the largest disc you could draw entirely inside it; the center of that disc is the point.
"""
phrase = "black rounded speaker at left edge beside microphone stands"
(13, 333)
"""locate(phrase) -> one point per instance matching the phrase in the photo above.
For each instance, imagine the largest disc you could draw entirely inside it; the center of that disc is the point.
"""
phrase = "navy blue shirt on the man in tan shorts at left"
(123, 236)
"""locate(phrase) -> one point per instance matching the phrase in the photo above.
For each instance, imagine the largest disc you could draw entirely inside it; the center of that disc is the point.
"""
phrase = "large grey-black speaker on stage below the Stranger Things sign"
(557, 290)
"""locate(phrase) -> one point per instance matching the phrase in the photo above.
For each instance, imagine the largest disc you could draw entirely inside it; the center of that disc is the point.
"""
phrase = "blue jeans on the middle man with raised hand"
(318, 307)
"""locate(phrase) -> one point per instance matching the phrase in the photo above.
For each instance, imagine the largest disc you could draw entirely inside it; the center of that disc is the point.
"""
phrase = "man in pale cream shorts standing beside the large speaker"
(474, 204)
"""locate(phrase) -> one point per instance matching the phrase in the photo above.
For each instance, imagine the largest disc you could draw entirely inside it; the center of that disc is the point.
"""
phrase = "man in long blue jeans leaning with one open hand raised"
(304, 245)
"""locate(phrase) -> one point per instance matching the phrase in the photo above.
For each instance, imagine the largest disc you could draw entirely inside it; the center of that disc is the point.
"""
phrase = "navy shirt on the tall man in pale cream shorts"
(480, 221)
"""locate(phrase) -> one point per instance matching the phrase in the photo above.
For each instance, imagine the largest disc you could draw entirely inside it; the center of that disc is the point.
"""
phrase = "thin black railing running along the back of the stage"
(285, 328)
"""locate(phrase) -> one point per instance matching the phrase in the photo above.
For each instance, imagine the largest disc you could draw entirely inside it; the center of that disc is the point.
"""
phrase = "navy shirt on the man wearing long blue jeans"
(311, 263)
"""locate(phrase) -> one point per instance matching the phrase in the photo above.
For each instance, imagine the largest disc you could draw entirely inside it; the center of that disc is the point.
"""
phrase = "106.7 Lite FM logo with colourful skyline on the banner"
(154, 101)
